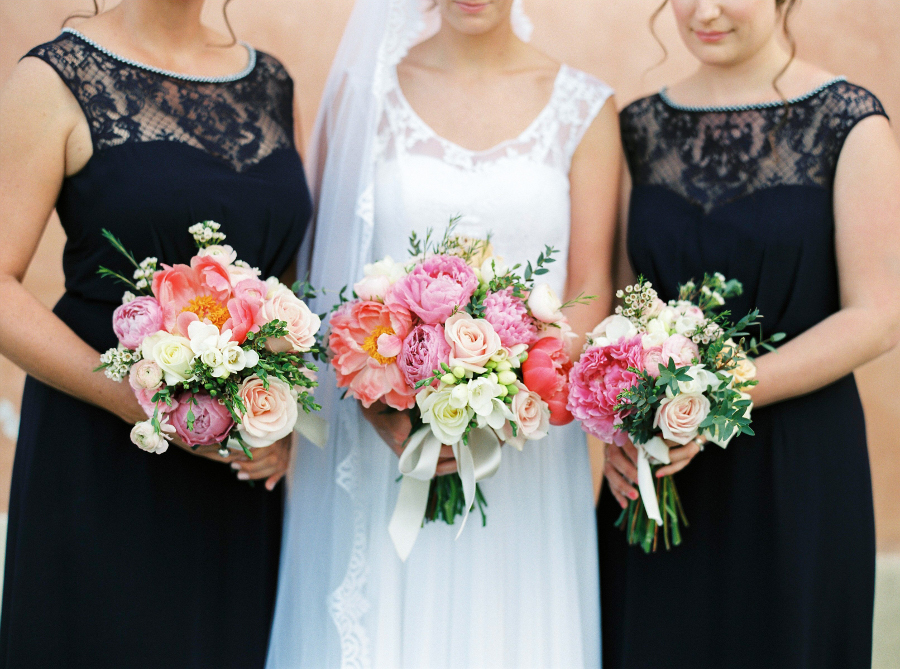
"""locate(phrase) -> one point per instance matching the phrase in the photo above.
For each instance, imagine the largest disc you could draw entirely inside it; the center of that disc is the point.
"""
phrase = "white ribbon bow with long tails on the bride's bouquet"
(476, 461)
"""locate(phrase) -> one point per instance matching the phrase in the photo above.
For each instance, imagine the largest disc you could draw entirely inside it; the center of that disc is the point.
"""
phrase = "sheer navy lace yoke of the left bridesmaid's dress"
(241, 118)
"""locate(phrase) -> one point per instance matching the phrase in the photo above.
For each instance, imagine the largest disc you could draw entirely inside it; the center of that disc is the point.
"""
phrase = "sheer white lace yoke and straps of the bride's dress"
(551, 138)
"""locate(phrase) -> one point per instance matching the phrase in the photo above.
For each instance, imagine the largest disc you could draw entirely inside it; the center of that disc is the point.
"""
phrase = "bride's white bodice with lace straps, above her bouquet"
(517, 191)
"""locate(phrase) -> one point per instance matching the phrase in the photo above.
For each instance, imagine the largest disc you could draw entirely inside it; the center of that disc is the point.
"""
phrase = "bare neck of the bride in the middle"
(475, 53)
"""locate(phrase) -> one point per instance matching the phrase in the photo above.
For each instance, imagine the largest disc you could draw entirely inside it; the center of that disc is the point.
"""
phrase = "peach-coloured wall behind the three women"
(608, 38)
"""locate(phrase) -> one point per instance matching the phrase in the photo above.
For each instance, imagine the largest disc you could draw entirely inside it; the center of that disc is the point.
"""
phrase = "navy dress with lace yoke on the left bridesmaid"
(116, 557)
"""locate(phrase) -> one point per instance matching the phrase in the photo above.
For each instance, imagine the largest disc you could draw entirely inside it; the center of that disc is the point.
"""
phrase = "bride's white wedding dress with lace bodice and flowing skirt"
(522, 591)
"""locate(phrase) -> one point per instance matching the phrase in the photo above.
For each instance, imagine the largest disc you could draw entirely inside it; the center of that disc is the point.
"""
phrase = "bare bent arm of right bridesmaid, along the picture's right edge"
(867, 240)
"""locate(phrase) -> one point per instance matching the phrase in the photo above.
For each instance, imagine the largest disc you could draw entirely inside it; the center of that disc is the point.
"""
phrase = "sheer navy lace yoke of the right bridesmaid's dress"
(714, 156)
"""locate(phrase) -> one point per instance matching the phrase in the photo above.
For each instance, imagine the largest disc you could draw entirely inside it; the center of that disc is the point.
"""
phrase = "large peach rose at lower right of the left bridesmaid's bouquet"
(271, 412)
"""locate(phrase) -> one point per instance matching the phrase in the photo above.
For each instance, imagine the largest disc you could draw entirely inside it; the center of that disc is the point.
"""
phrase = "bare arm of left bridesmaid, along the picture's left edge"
(39, 125)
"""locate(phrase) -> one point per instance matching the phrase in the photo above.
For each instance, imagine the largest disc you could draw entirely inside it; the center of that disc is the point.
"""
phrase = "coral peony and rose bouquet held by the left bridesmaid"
(212, 352)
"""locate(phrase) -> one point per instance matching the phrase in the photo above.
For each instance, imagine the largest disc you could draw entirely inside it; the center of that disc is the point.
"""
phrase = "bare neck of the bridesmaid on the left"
(163, 24)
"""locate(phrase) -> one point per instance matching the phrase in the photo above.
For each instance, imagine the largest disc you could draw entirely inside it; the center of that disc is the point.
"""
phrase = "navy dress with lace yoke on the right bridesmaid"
(777, 567)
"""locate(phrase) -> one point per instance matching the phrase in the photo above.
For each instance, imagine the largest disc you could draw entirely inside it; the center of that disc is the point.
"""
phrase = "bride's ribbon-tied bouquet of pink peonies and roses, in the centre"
(472, 348)
